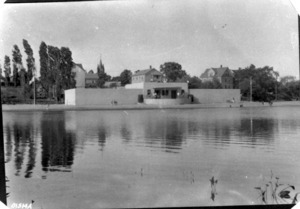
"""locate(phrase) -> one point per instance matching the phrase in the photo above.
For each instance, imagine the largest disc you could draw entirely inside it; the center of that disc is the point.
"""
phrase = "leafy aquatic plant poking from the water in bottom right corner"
(274, 192)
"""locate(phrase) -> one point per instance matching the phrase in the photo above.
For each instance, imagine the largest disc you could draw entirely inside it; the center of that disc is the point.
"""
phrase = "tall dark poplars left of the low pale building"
(55, 69)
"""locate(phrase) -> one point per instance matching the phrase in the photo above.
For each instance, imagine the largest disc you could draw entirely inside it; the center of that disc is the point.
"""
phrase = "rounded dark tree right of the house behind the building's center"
(172, 71)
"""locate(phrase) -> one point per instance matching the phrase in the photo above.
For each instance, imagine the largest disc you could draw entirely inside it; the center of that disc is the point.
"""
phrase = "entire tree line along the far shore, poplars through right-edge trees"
(56, 76)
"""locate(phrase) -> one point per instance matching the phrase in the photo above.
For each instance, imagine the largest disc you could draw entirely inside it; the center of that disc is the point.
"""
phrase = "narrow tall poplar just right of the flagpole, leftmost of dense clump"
(44, 67)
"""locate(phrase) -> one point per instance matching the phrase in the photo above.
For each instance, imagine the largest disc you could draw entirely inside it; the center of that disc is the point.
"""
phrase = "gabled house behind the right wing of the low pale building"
(223, 74)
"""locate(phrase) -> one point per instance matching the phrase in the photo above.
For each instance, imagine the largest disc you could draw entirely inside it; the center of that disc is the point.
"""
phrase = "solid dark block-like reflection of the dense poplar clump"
(57, 143)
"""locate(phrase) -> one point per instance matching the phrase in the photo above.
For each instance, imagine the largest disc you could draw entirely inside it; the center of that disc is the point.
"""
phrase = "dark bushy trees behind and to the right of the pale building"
(262, 83)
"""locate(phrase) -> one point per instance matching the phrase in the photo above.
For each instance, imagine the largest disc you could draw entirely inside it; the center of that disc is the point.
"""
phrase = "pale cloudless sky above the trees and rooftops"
(134, 34)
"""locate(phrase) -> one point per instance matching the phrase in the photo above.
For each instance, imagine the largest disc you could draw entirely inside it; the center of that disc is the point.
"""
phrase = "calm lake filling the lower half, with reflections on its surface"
(150, 158)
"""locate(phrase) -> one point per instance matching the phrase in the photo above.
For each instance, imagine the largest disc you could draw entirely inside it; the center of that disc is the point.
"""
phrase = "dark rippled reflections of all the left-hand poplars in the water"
(57, 144)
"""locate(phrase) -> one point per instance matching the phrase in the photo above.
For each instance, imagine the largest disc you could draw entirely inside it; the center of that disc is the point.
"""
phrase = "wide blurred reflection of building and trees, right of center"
(171, 131)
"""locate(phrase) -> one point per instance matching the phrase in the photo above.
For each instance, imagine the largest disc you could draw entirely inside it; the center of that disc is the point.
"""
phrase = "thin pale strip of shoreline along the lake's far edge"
(62, 107)
